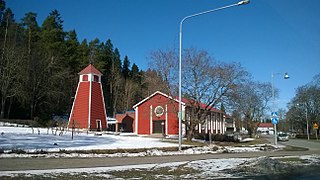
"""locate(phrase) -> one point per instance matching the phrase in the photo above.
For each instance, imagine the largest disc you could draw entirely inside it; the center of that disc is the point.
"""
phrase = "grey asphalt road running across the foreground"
(14, 164)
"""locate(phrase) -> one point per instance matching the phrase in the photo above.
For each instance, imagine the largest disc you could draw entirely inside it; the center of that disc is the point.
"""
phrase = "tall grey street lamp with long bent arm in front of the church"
(180, 55)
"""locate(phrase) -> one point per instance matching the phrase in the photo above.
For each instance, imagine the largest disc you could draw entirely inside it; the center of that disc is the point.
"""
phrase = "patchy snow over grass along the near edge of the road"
(203, 169)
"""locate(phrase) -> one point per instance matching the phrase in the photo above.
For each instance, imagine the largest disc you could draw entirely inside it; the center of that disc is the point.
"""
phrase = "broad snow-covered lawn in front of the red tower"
(43, 139)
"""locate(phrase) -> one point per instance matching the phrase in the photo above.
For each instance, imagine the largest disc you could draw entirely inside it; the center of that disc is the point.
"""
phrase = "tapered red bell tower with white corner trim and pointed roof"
(88, 109)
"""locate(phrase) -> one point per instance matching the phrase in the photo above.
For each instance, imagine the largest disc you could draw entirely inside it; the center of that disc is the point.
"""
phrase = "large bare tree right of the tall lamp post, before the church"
(207, 84)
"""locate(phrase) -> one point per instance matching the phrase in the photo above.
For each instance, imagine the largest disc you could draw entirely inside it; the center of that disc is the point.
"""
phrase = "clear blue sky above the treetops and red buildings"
(265, 36)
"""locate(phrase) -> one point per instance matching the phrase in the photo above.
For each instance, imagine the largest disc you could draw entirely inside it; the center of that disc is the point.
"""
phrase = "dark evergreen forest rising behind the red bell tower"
(40, 64)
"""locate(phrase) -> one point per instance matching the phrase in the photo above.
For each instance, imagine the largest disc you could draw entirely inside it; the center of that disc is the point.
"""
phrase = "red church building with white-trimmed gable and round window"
(158, 113)
